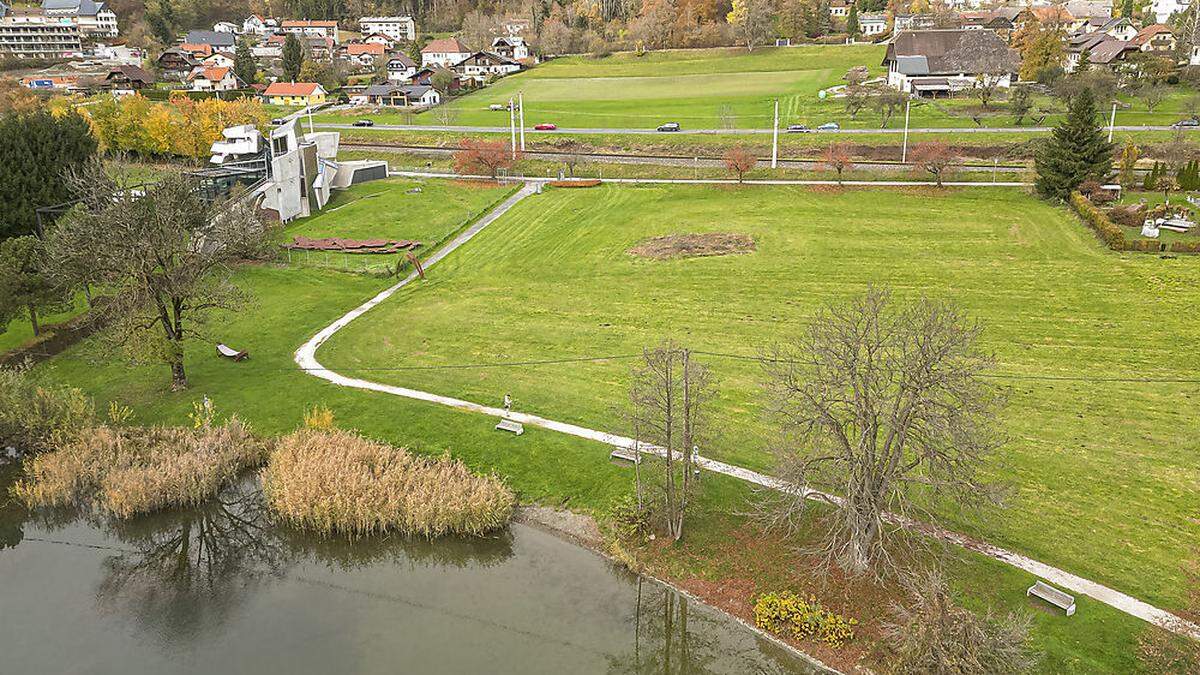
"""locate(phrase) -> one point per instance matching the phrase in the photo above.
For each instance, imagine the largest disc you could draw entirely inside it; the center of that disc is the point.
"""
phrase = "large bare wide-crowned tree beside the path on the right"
(885, 415)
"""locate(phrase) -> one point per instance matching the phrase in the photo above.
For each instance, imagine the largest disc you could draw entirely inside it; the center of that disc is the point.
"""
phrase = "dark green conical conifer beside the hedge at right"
(1075, 153)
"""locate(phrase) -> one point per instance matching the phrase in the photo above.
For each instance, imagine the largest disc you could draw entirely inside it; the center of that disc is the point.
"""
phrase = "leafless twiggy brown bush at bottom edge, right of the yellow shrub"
(933, 635)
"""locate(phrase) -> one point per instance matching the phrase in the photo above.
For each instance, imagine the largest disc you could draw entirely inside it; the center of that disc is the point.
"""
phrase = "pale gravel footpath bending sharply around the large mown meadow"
(307, 359)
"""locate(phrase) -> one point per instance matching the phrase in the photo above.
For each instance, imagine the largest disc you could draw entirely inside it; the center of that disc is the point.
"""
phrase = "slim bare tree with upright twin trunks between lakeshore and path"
(669, 398)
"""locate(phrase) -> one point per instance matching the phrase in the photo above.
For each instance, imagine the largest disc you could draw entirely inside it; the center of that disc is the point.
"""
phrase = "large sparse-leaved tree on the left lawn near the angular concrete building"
(165, 255)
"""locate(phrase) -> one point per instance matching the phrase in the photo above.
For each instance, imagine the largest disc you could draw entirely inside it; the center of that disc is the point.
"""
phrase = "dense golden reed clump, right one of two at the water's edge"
(337, 482)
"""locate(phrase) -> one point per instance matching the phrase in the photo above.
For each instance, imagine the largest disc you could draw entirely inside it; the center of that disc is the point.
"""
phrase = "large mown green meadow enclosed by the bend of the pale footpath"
(1103, 467)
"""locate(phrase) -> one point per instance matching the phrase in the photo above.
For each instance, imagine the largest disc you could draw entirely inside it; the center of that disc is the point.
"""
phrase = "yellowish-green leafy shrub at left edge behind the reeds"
(34, 417)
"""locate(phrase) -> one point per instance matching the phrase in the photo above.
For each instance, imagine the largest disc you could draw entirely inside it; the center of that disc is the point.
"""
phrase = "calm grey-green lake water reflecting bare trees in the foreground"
(219, 589)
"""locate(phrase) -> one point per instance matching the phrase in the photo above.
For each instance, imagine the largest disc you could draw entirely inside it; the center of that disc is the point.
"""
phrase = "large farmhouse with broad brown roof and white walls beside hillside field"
(941, 62)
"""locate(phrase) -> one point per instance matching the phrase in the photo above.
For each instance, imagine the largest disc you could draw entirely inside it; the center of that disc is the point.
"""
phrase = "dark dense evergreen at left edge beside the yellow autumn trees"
(38, 151)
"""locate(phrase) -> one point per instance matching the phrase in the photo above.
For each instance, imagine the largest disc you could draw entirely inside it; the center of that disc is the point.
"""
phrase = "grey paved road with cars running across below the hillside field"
(723, 132)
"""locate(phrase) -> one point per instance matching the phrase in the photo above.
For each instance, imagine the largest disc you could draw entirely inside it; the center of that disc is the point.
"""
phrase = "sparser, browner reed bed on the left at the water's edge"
(129, 471)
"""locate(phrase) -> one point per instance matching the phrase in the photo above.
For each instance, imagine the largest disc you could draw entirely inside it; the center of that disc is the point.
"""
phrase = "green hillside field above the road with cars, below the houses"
(729, 88)
